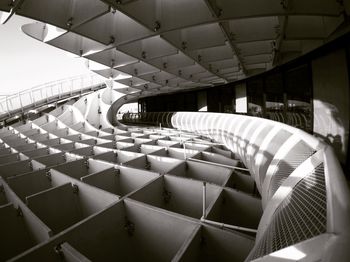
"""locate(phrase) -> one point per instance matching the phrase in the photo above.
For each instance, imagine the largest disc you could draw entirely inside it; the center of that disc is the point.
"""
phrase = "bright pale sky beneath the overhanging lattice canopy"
(26, 62)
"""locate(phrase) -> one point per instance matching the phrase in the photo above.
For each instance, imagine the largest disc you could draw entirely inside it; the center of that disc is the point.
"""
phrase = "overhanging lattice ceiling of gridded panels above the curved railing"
(155, 46)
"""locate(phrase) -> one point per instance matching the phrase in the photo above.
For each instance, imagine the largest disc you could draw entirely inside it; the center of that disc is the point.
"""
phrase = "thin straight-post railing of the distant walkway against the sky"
(47, 93)
